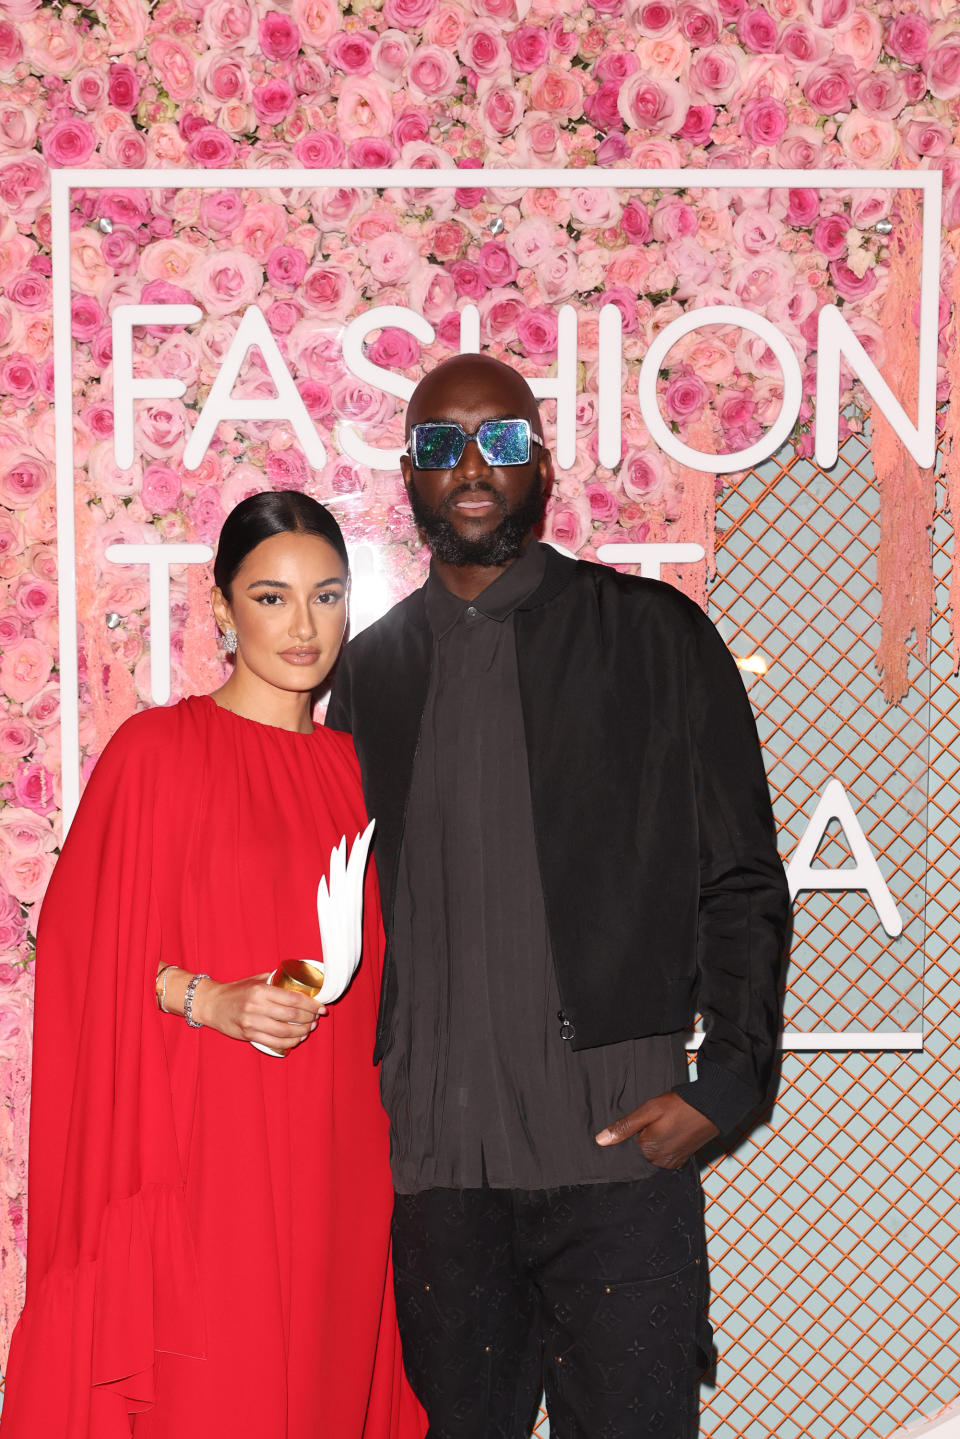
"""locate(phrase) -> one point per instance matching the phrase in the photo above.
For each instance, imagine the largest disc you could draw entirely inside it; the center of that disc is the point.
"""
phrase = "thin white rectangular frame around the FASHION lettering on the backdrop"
(63, 182)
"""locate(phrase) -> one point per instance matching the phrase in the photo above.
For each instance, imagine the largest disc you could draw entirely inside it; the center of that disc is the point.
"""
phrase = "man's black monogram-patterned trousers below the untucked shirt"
(595, 1293)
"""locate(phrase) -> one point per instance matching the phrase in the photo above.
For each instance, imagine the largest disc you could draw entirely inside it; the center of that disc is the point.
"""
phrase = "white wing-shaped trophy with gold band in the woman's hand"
(340, 917)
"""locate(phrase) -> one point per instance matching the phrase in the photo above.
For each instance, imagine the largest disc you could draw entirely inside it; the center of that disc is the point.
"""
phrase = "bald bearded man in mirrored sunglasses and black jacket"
(576, 851)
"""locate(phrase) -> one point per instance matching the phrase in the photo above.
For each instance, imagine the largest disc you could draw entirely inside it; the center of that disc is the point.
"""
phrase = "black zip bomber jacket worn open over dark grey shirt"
(661, 879)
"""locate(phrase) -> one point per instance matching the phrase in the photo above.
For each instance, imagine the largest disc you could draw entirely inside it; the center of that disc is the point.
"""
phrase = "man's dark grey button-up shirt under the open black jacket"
(479, 1083)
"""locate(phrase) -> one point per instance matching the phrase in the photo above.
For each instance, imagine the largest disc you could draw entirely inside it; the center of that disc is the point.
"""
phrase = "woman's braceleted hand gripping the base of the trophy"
(254, 1011)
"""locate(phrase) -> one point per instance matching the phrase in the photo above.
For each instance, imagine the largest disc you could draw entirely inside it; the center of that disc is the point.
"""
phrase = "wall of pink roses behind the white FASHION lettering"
(552, 84)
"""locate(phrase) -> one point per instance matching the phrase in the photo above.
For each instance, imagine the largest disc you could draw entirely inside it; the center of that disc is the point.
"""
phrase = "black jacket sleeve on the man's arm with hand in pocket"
(743, 893)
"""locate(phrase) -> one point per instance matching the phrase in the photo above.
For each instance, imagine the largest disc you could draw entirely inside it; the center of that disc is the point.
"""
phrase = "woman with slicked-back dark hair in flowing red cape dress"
(208, 1225)
